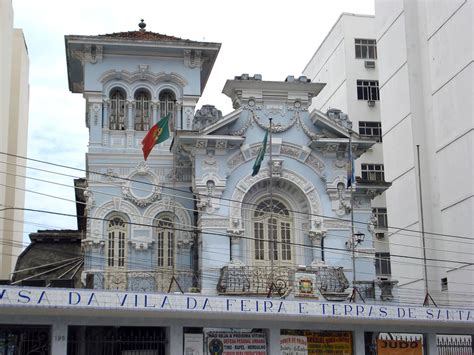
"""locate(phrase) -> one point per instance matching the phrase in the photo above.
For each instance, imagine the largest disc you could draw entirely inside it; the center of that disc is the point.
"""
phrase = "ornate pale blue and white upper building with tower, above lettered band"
(192, 217)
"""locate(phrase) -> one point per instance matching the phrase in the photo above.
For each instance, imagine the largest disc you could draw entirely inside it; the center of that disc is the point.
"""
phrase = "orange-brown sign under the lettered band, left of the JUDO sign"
(329, 343)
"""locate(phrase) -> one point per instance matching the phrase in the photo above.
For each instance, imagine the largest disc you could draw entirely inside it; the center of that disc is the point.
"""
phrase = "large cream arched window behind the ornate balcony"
(272, 224)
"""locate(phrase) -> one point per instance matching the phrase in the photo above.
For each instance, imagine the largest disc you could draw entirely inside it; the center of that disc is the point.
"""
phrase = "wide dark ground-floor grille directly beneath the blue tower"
(116, 341)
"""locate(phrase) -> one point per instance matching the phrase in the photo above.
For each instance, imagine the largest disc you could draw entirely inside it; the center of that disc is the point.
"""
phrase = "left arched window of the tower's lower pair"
(116, 242)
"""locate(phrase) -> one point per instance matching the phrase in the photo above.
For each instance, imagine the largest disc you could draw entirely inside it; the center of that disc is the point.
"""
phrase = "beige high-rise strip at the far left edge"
(14, 98)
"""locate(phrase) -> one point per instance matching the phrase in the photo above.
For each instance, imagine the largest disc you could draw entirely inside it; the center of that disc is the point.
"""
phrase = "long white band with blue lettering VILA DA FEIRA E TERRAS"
(95, 299)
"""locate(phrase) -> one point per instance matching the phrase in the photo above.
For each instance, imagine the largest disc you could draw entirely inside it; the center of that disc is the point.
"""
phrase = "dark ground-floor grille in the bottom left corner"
(25, 340)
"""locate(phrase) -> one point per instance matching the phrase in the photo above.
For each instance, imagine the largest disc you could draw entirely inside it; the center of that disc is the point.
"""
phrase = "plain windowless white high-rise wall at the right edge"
(425, 70)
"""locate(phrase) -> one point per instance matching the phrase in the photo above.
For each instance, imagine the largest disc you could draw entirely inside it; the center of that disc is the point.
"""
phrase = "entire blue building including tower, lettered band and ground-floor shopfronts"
(197, 250)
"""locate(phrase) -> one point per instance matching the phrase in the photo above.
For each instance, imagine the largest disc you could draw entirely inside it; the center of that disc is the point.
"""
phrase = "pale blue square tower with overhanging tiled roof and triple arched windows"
(140, 214)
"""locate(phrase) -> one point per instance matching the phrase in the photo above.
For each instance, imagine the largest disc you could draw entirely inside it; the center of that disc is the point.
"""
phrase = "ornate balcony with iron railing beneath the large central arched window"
(308, 282)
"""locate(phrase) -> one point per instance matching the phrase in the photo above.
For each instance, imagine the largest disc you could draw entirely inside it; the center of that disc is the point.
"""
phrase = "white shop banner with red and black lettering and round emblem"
(236, 343)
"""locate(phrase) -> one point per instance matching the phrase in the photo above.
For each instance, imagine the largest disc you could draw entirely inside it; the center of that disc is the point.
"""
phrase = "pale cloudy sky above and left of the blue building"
(272, 38)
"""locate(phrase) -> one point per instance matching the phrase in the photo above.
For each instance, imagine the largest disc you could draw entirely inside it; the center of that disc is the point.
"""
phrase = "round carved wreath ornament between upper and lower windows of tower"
(141, 188)
